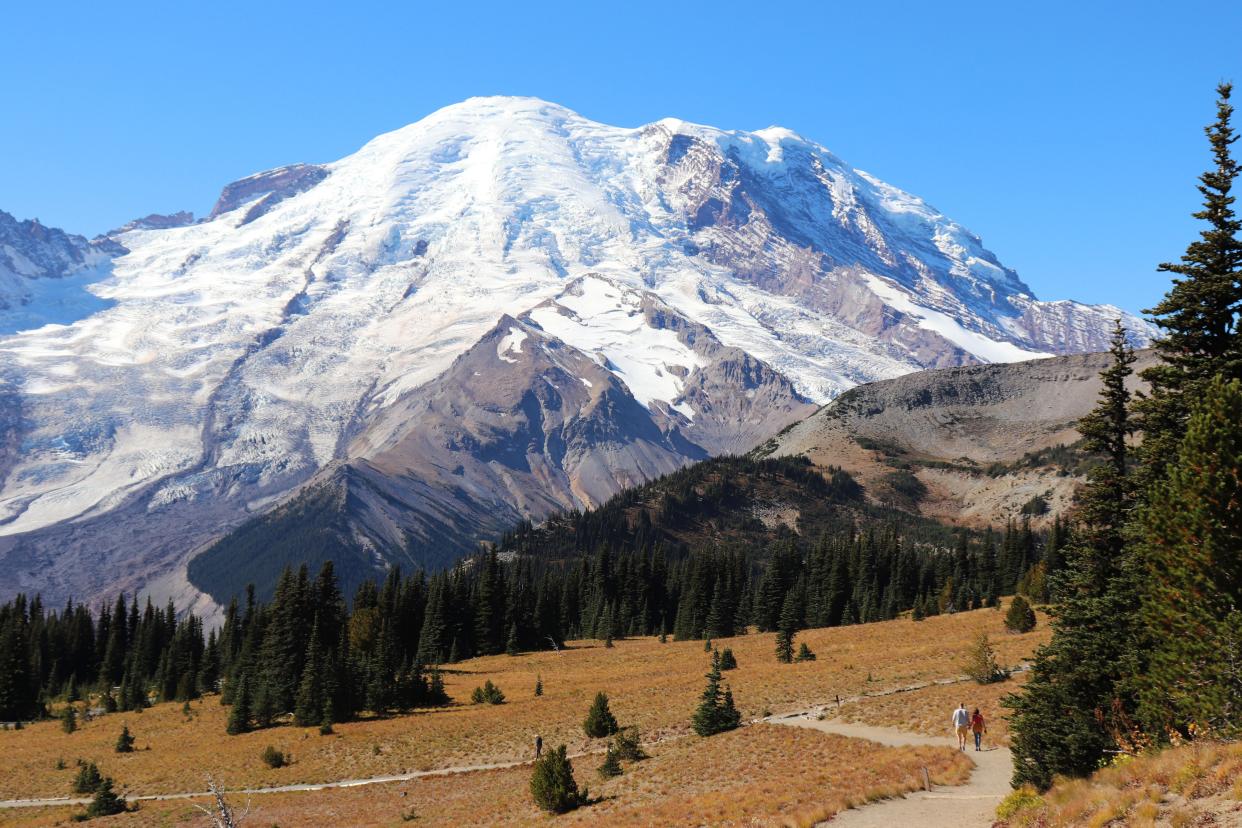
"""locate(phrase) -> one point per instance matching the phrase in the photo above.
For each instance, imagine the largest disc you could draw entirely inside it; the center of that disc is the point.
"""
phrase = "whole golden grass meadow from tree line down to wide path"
(759, 775)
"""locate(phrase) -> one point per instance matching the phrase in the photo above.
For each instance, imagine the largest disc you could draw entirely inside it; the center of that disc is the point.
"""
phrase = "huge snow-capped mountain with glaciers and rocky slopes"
(682, 290)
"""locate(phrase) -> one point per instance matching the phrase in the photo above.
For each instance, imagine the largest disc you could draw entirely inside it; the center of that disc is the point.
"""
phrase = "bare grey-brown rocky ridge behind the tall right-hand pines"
(968, 434)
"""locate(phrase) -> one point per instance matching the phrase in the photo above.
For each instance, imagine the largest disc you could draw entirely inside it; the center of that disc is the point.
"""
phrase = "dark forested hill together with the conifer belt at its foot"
(696, 554)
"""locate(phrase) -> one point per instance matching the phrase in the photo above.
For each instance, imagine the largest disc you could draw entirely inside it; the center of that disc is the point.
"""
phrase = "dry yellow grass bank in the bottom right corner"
(1185, 786)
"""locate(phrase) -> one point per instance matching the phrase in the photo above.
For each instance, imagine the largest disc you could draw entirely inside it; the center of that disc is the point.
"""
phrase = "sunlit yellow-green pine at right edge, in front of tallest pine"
(1193, 596)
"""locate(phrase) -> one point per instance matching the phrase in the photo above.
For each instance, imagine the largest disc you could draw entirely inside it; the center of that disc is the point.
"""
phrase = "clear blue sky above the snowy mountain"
(1067, 135)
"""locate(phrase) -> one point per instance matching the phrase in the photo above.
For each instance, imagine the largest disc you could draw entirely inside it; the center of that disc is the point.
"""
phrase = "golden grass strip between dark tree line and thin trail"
(653, 686)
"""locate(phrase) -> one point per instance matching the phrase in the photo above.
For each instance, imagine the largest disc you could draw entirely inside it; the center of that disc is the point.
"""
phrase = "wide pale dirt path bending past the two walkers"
(962, 806)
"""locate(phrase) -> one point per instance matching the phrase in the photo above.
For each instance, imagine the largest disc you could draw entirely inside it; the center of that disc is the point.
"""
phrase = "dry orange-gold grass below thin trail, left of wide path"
(762, 775)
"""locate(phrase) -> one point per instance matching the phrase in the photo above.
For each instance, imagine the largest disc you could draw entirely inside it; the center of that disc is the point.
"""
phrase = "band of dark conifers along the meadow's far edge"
(312, 655)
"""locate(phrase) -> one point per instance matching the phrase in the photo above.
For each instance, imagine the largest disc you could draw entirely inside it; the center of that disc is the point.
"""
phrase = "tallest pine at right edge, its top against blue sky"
(1199, 316)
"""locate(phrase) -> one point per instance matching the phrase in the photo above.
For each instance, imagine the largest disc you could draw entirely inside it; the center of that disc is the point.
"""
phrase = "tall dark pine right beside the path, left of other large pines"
(1076, 701)
